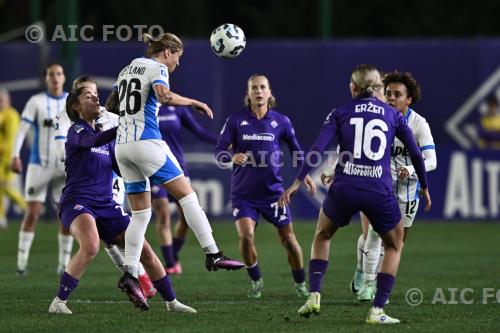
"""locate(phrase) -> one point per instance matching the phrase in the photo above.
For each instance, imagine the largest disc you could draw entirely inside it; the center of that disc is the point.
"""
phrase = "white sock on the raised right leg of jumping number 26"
(198, 222)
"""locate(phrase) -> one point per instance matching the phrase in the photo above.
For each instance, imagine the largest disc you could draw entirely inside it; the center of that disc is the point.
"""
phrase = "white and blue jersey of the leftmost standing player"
(40, 111)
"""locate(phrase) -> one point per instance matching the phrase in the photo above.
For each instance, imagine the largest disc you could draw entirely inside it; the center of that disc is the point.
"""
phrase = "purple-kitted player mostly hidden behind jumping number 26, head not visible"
(172, 119)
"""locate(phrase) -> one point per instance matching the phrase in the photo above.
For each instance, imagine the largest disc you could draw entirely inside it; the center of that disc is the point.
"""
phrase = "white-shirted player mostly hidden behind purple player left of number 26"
(106, 120)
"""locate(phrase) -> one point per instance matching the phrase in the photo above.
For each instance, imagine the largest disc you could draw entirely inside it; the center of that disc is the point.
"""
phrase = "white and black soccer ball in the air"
(228, 41)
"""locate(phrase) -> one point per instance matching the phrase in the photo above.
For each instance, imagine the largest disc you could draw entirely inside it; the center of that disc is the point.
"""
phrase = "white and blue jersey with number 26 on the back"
(137, 100)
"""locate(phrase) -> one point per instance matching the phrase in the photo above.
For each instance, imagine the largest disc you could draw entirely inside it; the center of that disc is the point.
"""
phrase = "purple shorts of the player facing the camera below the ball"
(270, 210)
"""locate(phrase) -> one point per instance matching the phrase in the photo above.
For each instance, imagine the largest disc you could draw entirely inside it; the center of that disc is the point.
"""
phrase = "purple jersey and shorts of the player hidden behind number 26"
(171, 121)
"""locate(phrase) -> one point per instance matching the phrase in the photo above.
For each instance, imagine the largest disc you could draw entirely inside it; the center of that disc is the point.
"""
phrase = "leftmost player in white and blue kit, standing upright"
(44, 167)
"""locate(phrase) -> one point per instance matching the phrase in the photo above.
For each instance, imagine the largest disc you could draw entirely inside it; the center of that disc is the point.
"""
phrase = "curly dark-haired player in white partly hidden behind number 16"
(401, 92)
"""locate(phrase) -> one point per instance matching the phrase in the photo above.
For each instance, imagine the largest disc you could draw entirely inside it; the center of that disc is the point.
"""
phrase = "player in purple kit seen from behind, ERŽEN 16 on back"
(365, 128)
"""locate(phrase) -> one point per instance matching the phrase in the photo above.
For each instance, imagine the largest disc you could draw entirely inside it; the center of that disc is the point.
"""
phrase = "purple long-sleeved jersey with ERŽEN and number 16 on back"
(365, 128)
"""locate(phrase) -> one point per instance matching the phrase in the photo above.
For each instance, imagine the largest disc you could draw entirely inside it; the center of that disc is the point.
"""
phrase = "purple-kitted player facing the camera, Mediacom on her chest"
(255, 135)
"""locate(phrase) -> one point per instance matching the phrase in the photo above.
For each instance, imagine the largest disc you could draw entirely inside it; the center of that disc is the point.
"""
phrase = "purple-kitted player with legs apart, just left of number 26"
(88, 209)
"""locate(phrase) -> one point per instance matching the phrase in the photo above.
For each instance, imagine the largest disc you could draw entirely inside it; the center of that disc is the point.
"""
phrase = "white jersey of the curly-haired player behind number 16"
(407, 189)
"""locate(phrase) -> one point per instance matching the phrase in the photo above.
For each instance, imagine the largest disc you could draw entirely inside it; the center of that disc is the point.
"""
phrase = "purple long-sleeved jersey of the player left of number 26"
(89, 162)
